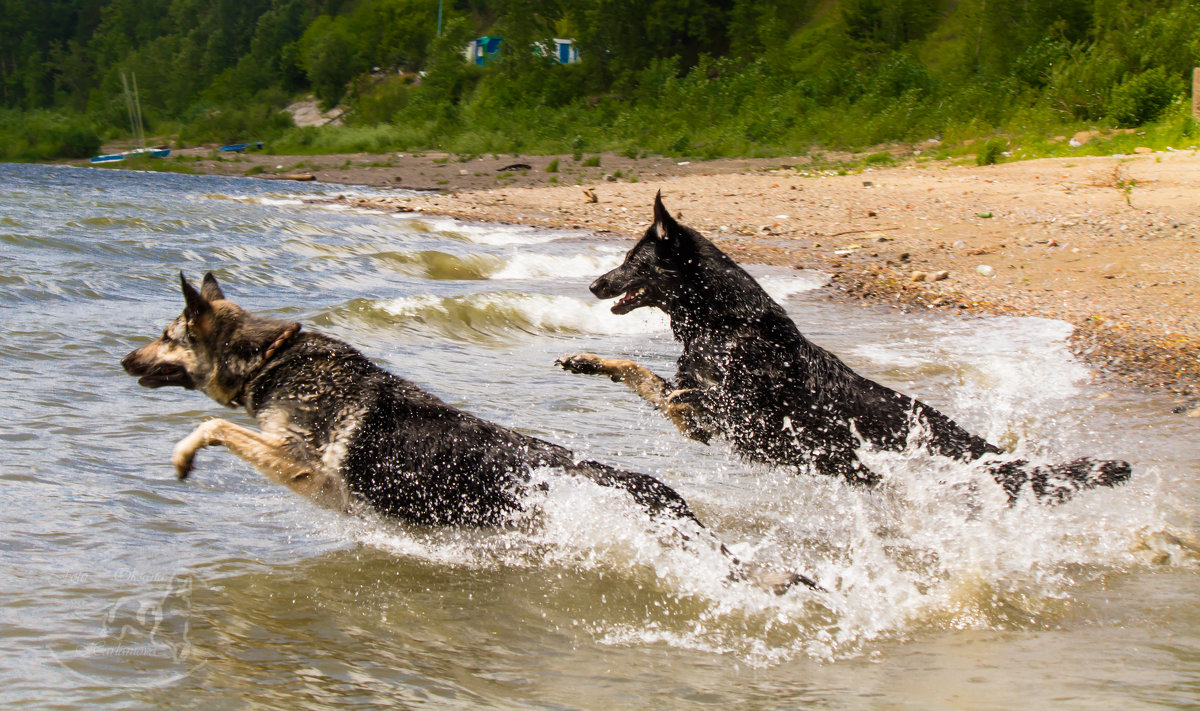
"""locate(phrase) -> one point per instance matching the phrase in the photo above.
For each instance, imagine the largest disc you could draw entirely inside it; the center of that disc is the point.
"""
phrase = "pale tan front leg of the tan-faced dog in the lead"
(269, 455)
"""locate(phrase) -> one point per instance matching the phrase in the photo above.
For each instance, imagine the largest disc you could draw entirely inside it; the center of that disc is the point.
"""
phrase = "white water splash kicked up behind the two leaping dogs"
(935, 548)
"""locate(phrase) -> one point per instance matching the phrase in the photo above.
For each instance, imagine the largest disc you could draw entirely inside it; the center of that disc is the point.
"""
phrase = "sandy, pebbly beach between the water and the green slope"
(1108, 244)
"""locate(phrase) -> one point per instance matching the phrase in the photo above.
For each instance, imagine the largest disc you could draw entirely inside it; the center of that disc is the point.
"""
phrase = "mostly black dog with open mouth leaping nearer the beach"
(748, 377)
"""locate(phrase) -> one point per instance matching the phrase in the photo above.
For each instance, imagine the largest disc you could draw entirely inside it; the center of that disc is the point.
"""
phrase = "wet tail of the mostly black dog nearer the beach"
(1057, 483)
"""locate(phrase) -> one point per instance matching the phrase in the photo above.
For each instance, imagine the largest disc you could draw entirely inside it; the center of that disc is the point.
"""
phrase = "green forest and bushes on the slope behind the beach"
(679, 77)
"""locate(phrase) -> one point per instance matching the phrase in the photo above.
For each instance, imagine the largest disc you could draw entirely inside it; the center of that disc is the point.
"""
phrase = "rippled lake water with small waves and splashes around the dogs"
(123, 588)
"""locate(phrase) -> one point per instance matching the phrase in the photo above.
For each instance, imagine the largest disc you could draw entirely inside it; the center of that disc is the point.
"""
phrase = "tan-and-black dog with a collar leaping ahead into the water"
(346, 434)
